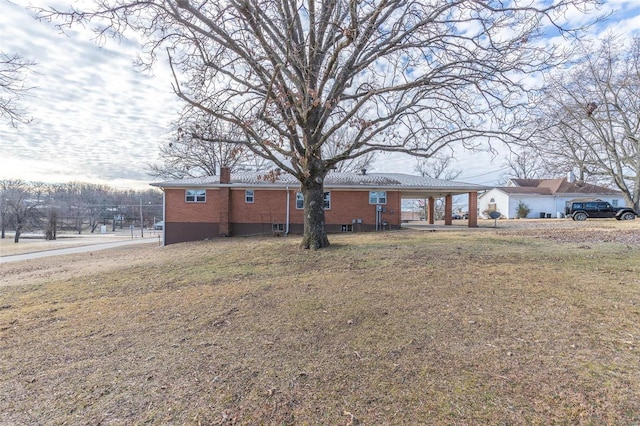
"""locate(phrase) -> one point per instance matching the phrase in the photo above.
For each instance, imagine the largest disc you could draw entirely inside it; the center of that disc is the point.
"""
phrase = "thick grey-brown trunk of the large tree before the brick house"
(315, 235)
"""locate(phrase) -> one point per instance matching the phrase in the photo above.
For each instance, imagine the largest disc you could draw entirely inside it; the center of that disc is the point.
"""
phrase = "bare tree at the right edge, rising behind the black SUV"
(589, 117)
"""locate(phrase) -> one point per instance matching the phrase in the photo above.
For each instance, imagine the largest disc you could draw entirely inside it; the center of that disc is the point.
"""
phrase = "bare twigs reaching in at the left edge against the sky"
(13, 87)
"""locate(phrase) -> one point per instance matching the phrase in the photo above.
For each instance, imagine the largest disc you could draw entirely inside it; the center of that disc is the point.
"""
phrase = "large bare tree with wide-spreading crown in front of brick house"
(407, 77)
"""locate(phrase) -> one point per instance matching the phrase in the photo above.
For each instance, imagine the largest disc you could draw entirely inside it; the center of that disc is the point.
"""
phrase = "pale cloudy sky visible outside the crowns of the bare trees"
(97, 119)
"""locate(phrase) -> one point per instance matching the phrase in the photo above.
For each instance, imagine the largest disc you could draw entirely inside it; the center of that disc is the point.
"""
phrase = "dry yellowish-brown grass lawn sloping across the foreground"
(471, 328)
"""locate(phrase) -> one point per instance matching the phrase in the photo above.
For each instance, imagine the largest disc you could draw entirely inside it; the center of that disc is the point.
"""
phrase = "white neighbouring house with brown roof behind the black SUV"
(544, 197)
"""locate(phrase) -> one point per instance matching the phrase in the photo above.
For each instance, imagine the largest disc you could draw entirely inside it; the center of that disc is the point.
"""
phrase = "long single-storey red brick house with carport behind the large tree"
(248, 204)
